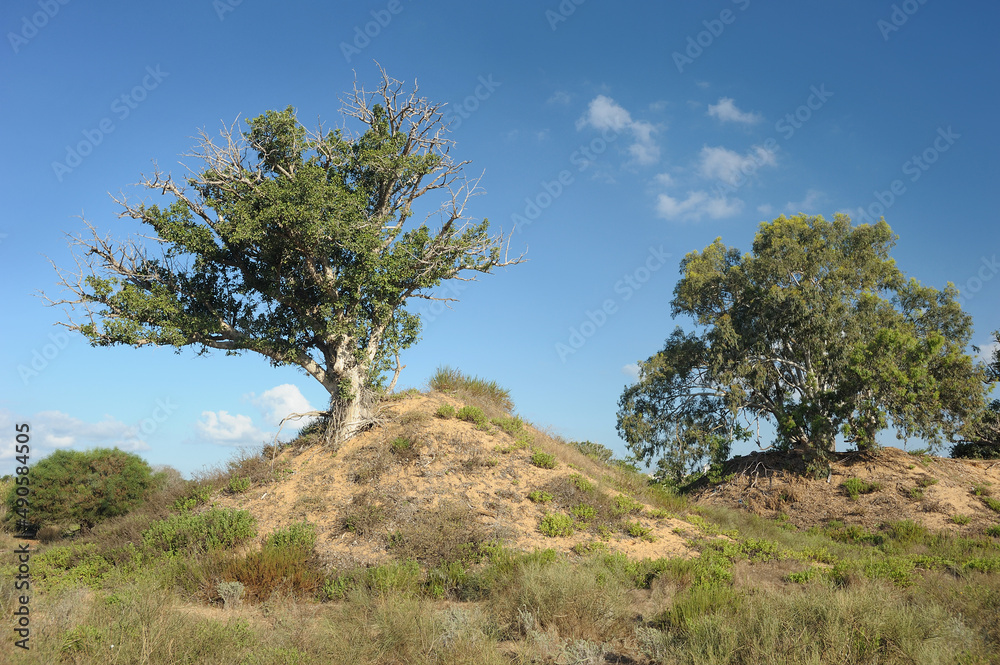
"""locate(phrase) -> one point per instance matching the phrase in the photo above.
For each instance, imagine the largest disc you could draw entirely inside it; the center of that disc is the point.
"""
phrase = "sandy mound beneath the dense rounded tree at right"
(938, 492)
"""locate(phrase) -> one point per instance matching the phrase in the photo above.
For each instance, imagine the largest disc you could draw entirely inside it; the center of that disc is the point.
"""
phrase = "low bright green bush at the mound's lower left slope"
(214, 529)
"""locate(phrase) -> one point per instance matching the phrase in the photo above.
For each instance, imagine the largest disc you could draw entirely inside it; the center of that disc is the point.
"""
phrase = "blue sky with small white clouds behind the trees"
(621, 135)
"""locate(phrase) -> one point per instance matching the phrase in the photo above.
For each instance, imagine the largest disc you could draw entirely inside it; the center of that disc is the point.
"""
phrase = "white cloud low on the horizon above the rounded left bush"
(51, 430)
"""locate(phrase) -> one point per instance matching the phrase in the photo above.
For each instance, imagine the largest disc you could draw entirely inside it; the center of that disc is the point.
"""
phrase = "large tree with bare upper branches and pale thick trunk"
(296, 245)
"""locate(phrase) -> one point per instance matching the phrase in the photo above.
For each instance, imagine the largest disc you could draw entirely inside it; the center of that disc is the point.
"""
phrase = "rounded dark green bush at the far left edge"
(84, 487)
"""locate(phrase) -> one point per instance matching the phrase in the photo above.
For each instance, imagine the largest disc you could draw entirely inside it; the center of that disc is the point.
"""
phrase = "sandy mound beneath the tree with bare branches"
(447, 483)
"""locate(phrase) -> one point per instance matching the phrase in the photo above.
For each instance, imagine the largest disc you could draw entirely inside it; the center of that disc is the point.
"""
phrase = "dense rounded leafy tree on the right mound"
(818, 332)
